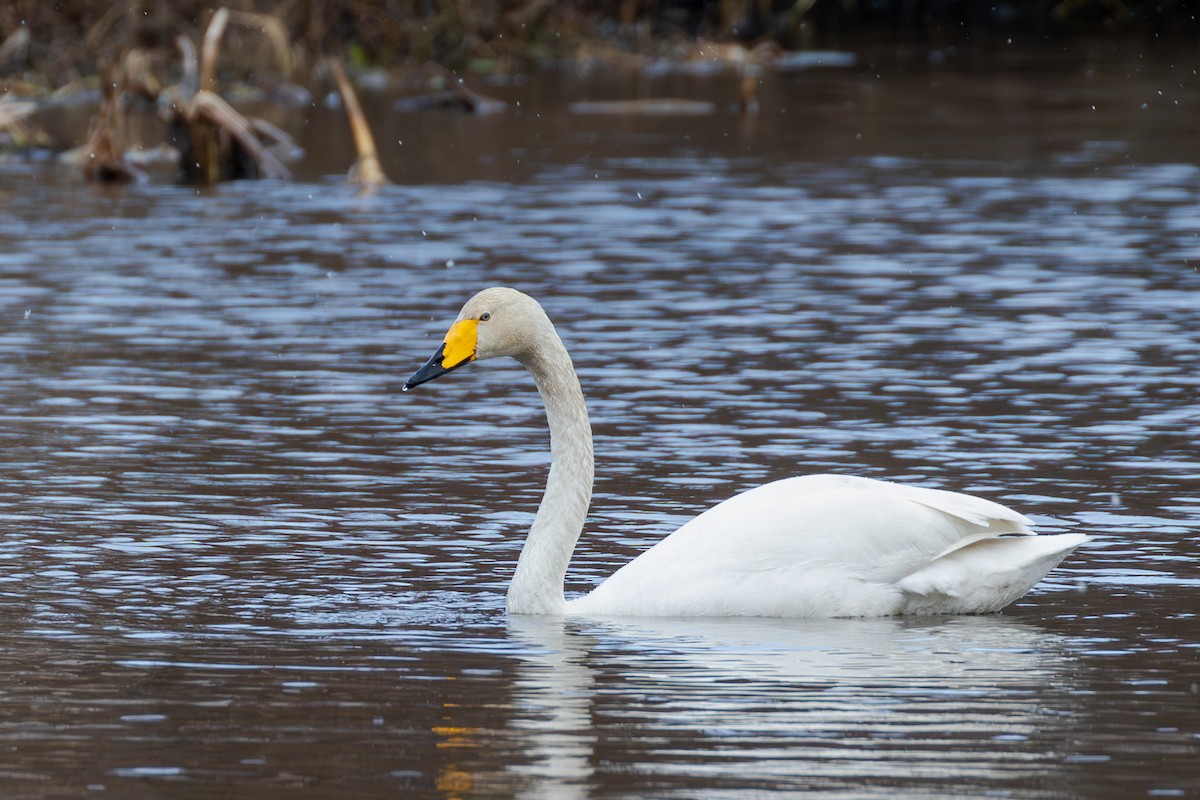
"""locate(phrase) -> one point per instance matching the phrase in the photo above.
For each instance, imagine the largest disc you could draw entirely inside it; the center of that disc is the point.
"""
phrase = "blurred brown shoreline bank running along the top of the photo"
(62, 47)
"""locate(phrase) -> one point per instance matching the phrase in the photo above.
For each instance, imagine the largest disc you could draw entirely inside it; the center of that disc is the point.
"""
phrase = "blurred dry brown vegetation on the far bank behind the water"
(53, 44)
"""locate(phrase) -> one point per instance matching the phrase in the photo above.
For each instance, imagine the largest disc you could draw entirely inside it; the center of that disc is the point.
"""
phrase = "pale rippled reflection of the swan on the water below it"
(759, 703)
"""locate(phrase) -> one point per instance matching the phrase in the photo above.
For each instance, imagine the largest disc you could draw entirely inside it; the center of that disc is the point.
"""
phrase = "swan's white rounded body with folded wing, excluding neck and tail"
(817, 546)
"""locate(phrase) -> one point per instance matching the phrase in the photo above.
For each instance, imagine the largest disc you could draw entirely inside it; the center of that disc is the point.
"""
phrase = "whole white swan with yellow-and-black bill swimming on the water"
(812, 546)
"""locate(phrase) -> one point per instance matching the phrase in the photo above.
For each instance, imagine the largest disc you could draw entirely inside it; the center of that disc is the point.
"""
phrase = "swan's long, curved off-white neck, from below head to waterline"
(537, 585)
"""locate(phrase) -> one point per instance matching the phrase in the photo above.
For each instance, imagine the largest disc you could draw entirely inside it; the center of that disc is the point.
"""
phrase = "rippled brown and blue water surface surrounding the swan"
(238, 563)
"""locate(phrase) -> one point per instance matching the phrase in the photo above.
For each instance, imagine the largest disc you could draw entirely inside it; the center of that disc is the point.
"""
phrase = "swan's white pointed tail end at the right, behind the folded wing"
(985, 575)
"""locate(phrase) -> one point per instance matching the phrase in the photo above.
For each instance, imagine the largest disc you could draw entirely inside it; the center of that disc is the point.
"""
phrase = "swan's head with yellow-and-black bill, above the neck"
(494, 323)
